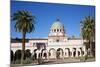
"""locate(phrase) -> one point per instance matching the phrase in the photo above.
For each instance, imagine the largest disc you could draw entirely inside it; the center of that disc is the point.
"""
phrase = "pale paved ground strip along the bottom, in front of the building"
(58, 61)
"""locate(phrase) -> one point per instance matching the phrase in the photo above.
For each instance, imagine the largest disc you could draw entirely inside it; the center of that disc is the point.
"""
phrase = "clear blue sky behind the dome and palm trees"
(47, 13)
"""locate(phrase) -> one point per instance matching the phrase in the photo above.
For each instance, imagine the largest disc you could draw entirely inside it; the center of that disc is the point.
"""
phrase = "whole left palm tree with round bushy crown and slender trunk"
(24, 23)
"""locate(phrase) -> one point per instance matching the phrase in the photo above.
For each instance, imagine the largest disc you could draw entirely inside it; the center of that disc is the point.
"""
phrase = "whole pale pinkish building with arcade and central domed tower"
(56, 46)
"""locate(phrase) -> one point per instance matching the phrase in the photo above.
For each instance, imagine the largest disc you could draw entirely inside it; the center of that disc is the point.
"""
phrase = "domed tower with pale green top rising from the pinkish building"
(57, 35)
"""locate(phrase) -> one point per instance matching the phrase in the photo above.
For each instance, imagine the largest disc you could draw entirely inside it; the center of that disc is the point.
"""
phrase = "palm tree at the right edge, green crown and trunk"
(88, 31)
